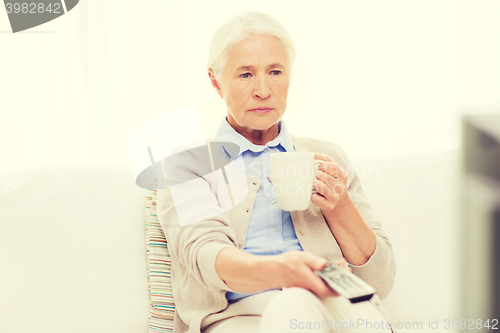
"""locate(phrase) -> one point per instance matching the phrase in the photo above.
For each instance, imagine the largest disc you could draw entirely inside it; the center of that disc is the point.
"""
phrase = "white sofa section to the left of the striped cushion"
(72, 252)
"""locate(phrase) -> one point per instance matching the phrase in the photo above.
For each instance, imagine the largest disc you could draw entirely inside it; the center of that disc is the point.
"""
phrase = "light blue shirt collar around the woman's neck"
(226, 133)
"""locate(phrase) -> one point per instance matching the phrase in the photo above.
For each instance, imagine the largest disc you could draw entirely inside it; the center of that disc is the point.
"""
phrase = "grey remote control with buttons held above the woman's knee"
(346, 283)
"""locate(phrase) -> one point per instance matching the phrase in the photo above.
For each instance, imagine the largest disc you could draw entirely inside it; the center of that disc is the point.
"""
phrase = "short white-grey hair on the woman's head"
(237, 29)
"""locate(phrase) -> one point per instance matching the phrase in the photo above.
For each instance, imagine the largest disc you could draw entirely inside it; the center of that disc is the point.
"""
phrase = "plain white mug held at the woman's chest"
(292, 176)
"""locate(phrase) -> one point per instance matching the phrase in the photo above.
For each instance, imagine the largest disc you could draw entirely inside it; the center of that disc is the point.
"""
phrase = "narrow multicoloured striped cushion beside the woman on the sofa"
(162, 306)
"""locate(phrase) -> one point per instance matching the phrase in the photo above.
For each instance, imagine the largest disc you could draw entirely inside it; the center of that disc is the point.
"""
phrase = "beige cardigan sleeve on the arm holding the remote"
(194, 246)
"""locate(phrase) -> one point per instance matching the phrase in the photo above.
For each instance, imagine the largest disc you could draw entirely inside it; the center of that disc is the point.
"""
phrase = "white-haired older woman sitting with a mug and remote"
(250, 268)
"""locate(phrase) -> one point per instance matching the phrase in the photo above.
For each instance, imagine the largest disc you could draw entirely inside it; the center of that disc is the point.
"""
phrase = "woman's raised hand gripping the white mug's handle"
(331, 183)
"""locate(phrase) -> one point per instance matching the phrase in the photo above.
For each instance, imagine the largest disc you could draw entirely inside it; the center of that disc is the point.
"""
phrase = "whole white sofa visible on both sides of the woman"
(73, 254)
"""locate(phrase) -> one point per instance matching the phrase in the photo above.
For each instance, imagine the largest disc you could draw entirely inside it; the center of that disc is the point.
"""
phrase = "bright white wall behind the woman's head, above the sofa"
(378, 77)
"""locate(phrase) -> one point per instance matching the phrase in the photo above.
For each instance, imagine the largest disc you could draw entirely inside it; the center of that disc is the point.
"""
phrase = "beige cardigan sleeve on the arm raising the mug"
(380, 269)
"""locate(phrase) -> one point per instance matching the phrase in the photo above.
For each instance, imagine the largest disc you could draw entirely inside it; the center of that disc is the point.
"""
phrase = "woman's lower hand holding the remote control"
(296, 269)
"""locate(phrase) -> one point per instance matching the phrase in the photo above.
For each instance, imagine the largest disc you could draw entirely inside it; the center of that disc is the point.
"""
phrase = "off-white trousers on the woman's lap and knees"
(295, 310)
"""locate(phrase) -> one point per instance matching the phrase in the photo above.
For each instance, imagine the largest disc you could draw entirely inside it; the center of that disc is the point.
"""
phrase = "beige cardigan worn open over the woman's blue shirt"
(197, 288)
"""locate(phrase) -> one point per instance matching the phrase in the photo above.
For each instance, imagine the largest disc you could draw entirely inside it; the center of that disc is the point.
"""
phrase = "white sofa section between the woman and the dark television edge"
(416, 198)
